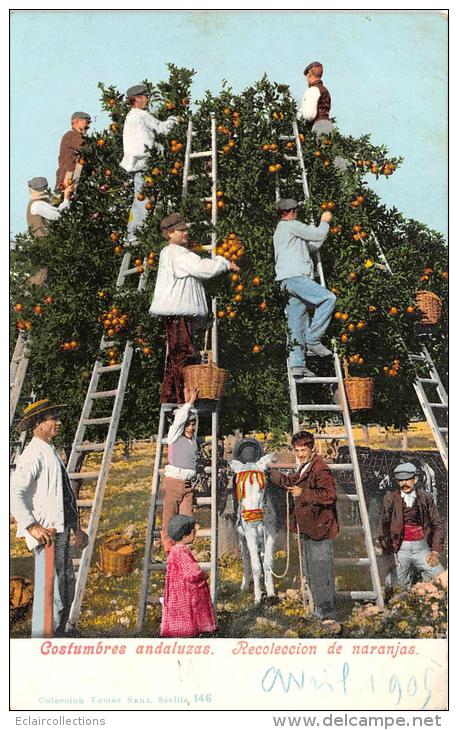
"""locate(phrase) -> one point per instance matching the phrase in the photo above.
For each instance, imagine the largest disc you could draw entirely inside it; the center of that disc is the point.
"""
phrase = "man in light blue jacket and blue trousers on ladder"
(293, 243)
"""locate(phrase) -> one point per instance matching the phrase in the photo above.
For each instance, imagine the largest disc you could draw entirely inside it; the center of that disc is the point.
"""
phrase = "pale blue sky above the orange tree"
(386, 71)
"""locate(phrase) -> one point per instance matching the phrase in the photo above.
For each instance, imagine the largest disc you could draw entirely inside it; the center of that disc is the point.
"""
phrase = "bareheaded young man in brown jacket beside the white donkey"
(314, 492)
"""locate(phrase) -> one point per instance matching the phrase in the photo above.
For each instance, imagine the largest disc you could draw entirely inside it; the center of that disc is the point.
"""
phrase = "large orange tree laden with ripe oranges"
(376, 321)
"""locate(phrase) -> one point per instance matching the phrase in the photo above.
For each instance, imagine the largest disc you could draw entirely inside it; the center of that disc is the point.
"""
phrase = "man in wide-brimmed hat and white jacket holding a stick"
(44, 507)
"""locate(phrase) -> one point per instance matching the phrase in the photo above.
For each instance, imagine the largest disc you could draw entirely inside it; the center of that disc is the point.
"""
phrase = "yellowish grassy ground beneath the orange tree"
(110, 603)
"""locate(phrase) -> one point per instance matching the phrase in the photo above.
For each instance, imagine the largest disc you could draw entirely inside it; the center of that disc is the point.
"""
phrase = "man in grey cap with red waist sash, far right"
(410, 529)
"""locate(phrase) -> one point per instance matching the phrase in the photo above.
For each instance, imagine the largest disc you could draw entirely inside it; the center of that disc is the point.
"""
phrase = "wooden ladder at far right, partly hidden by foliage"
(426, 388)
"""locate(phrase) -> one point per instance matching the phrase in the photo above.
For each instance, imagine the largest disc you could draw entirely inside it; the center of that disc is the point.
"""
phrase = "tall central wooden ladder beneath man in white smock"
(149, 564)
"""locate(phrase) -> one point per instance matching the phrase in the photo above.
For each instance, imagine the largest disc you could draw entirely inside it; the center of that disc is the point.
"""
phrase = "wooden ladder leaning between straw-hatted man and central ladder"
(80, 446)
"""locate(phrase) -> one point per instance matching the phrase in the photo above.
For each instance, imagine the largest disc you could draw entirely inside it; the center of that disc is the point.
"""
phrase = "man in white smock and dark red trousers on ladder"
(179, 297)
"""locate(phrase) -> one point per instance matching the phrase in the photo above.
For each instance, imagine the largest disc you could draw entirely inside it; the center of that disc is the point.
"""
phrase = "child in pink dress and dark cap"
(187, 608)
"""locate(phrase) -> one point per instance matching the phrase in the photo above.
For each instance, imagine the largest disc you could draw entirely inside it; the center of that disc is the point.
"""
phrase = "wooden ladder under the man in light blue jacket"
(341, 407)
